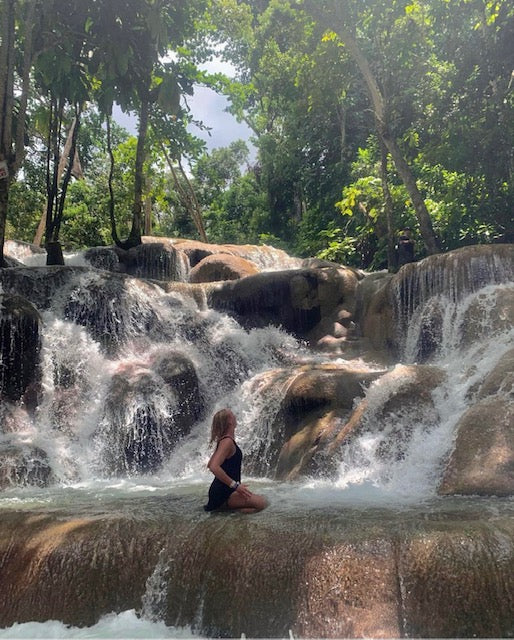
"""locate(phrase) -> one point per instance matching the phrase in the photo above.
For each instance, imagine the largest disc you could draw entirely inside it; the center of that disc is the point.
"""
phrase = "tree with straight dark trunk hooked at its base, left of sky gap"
(131, 39)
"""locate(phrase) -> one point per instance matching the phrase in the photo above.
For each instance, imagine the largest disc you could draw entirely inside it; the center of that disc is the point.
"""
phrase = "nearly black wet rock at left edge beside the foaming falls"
(20, 344)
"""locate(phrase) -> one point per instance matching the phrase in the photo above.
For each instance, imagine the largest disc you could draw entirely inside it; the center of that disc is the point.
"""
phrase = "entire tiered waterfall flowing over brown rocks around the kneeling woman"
(130, 374)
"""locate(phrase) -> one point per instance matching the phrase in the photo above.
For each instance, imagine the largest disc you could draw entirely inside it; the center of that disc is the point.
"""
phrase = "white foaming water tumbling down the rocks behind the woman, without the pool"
(400, 458)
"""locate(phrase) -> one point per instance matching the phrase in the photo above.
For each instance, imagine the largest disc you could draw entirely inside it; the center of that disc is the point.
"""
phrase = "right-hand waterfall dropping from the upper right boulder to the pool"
(456, 313)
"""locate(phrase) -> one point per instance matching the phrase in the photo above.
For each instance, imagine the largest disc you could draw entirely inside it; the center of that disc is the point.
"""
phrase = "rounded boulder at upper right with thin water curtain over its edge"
(424, 290)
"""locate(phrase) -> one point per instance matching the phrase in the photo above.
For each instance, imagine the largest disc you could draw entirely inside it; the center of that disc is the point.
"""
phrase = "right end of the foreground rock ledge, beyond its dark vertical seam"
(449, 580)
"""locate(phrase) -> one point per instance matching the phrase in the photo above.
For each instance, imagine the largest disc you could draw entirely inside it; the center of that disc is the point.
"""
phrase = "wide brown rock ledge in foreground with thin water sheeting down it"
(326, 576)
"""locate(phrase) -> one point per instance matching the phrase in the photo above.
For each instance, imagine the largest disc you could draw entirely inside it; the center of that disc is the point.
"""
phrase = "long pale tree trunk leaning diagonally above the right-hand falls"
(425, 223)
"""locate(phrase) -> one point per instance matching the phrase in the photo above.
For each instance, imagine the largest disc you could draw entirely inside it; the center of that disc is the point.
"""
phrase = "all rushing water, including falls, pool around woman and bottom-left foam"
(83, 430)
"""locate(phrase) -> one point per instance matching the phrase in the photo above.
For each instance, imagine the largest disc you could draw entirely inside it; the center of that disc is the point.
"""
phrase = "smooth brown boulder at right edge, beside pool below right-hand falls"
(482, 461)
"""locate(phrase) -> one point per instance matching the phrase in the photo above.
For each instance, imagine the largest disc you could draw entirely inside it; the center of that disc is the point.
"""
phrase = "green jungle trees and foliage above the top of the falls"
(366, 118)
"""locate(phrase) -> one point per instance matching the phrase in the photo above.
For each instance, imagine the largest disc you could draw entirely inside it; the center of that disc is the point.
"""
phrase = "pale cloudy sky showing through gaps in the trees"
(209, 107)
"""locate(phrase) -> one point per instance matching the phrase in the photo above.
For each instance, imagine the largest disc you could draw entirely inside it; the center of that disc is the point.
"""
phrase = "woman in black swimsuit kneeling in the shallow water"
(226, 490)
